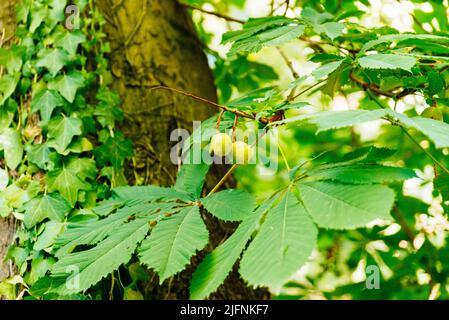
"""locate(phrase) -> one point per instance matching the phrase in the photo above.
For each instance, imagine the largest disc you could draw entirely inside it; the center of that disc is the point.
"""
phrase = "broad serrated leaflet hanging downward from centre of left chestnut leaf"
(173, 242)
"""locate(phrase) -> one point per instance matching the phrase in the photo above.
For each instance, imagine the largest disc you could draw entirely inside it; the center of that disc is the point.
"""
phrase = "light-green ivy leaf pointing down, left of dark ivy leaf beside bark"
(62, 129)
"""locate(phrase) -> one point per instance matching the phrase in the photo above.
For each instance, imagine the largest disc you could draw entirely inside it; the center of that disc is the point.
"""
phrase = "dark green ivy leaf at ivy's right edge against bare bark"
(115, 150)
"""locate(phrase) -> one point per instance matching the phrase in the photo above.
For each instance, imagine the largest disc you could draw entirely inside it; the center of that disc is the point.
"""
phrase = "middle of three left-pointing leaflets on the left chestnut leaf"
(90, 233)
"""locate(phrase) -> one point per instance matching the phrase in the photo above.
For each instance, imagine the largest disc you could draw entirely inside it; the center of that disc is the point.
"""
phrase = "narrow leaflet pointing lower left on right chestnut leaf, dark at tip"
(216, 266)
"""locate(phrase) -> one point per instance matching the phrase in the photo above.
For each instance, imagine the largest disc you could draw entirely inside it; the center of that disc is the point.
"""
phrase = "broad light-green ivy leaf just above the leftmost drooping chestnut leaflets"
(52, 206)
